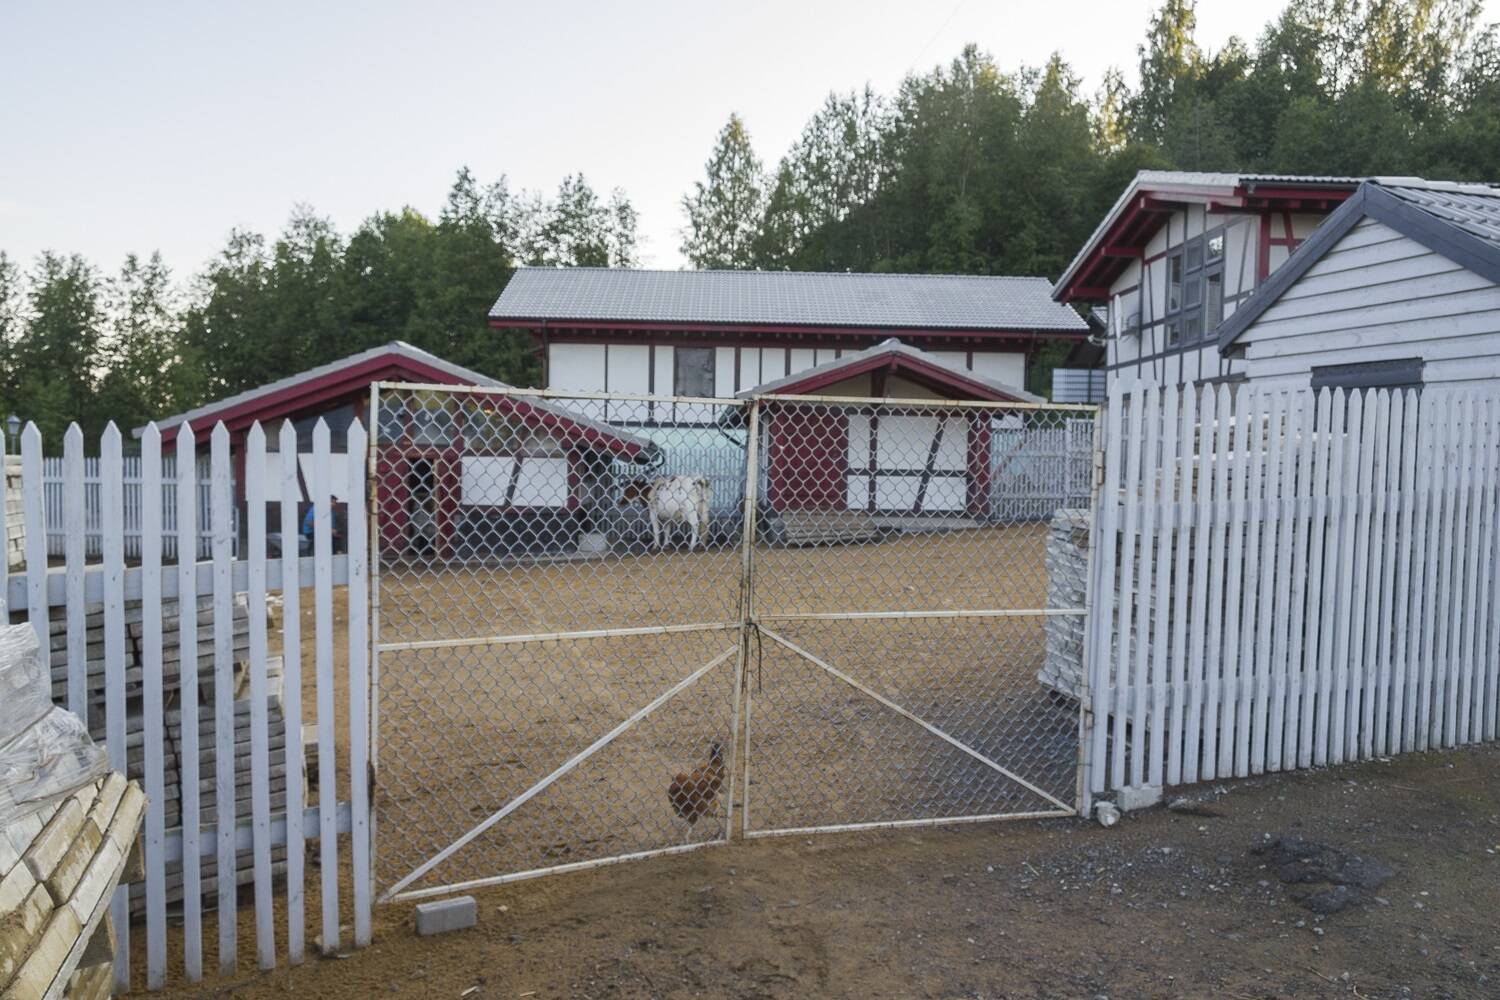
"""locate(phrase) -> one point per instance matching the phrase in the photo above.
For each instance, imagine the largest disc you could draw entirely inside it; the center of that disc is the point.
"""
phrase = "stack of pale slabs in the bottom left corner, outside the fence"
(59, 869)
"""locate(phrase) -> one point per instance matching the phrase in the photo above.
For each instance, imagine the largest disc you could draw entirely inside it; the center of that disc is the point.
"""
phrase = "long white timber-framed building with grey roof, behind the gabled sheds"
(719, 334)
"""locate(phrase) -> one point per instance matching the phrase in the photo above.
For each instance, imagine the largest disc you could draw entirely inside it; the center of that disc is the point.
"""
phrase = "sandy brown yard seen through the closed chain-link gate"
(467, 729)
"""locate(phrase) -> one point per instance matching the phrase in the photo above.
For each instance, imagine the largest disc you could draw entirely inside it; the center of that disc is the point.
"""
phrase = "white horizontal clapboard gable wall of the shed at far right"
(1379, 296)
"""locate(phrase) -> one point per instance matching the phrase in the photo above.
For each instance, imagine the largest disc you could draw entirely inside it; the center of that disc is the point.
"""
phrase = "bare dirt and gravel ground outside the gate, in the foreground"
(1166, 905)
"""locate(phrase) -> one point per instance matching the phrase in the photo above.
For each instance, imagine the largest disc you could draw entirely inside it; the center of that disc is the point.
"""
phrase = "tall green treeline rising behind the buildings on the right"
(970, 169)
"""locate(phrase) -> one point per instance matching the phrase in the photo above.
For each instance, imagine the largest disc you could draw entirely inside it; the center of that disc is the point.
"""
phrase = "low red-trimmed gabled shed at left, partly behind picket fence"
(428, 455)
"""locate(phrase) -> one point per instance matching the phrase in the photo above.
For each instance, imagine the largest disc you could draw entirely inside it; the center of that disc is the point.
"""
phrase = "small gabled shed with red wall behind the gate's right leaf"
(883, 460)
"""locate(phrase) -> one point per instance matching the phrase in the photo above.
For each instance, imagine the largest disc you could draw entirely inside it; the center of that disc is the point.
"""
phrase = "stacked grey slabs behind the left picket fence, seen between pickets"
(173, 725)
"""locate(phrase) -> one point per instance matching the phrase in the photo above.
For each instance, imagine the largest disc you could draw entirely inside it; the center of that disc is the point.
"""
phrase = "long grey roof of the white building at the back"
(794, 299)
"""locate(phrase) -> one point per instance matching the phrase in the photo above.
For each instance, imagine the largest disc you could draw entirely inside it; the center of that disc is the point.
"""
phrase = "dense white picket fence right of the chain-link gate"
(1286, 579)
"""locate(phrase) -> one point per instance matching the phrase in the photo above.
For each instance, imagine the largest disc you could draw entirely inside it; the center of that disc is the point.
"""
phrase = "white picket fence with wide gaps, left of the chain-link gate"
(71, 591)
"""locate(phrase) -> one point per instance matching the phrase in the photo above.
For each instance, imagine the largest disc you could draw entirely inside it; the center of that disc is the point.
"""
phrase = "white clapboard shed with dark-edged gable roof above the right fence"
(1397, 289)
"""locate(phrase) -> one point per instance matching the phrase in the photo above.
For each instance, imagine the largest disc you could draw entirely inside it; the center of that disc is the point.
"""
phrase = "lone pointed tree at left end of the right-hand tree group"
(725, 211)
